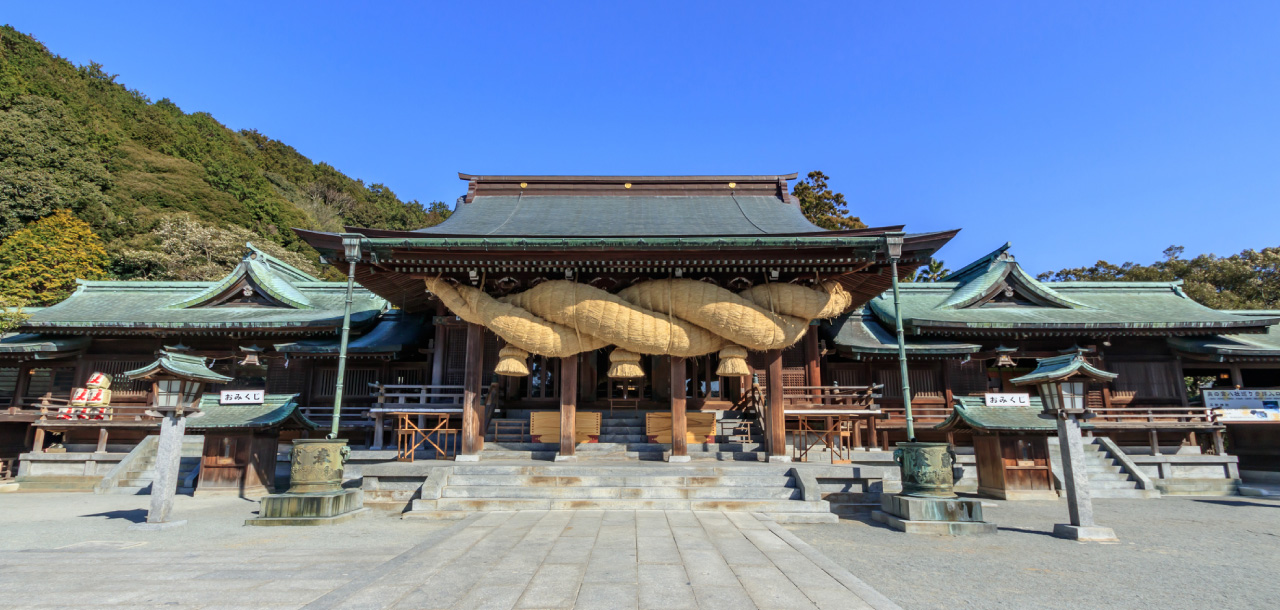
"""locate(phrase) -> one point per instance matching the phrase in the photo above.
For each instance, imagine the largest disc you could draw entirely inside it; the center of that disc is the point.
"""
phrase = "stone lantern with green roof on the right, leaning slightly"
(1062, 384)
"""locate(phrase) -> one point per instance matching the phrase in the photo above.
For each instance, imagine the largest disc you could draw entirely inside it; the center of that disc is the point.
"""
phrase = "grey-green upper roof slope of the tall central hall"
(559, 215)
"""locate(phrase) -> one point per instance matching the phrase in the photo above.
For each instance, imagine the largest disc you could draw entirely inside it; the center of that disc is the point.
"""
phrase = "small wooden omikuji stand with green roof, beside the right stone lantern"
(1011, 444)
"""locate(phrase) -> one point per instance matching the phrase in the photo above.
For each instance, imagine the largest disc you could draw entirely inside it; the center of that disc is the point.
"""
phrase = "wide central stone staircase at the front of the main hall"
(771, 490)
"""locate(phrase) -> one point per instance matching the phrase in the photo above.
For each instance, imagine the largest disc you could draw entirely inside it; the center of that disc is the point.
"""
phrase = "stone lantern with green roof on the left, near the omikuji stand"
(177, 382)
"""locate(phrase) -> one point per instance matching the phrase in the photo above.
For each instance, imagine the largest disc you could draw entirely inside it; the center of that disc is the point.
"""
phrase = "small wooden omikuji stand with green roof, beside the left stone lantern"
(241, 442)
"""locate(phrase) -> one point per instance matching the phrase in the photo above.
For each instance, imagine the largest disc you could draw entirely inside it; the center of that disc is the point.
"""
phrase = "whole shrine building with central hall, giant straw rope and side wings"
(650, 319)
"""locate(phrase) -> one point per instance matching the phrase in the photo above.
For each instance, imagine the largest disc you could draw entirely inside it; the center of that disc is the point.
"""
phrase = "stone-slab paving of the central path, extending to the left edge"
(534, 559)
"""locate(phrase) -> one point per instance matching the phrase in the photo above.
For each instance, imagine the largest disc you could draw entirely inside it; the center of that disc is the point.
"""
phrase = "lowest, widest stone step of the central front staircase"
(628, 504)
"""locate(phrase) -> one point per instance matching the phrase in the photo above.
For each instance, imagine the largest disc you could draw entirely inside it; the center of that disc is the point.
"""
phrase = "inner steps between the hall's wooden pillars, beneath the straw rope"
(623, 438)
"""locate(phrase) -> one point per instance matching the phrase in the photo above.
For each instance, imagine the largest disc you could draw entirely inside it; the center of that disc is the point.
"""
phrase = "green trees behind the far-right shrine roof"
(1250, 281)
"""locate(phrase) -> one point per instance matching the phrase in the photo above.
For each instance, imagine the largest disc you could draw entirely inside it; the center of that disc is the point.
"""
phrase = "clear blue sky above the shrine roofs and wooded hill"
(1078, 131)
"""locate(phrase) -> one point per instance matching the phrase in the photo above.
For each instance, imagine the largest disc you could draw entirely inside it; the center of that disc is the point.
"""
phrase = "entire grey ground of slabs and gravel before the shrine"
(74, 551)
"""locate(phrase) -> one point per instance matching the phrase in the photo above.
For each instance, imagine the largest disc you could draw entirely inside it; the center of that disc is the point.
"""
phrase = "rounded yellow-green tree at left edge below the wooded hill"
(42, 263)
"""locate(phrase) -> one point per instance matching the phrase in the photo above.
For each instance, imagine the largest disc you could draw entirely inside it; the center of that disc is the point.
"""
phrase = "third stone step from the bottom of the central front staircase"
(467, 479)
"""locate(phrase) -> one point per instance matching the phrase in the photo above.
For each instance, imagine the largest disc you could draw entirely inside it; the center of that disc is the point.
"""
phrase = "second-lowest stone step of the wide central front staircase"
(625, 493)
